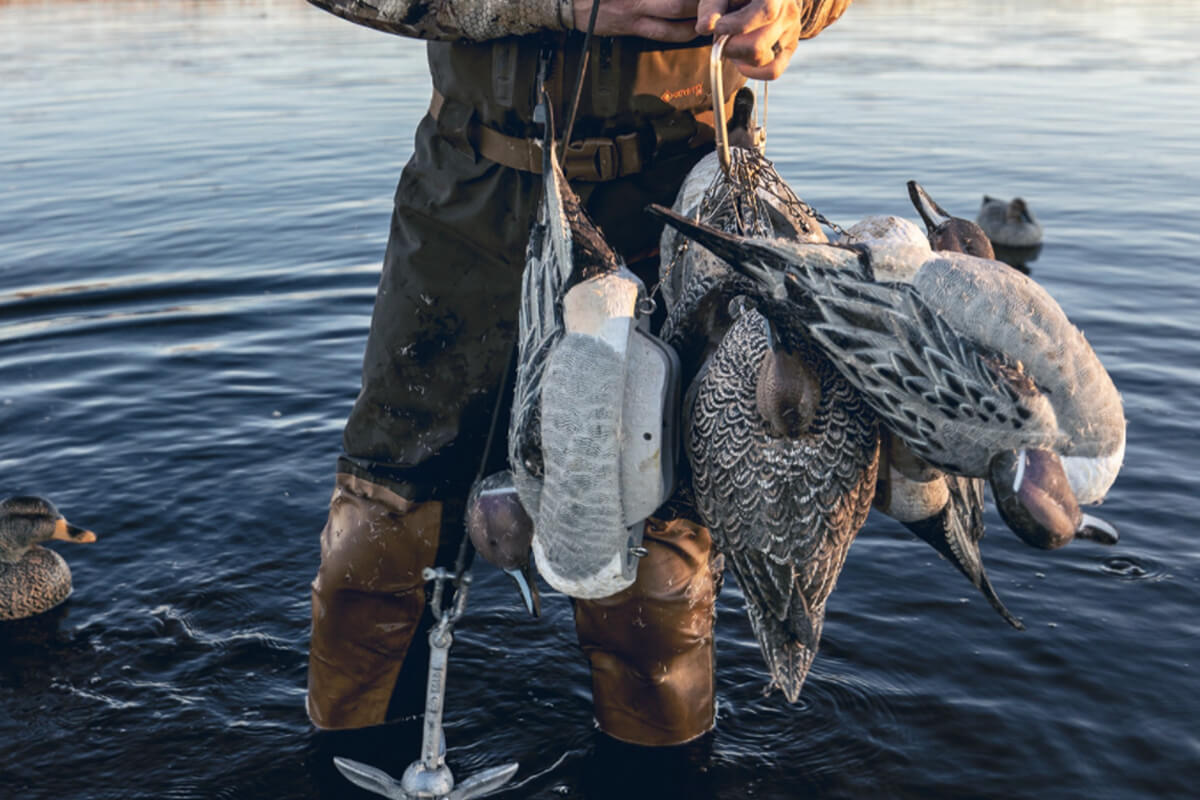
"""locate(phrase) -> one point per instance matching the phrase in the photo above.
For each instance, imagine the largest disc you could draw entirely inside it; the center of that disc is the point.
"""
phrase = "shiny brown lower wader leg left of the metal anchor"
(368, 600)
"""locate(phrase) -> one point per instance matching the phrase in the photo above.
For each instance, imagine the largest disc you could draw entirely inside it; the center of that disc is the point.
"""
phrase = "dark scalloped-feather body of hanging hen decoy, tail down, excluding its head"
(784, 510)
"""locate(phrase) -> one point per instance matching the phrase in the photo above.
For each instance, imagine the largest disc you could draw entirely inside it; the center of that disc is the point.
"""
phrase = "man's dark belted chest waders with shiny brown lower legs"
(443, 326)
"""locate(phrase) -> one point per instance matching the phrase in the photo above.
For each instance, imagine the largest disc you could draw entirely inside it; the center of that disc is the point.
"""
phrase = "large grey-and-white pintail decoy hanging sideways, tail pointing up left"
(973, 365)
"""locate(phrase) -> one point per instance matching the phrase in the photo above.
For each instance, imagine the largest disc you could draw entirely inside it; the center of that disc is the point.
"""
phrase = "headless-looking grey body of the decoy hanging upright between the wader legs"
(591, 449)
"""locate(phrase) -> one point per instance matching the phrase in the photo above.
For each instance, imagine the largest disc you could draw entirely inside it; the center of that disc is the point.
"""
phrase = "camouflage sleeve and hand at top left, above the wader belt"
(665, 21)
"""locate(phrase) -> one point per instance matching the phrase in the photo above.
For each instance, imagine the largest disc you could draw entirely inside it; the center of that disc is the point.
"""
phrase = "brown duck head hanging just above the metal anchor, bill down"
(502, 533)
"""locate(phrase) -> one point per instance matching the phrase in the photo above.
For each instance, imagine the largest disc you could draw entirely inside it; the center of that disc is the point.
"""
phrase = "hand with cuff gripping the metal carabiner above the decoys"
(764, 34)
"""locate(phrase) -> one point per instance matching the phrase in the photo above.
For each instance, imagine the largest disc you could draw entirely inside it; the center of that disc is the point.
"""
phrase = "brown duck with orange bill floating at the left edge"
(33, 579)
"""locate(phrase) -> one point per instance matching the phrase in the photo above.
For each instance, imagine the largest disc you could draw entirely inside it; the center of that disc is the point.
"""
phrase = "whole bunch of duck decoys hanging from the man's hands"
(892, 366)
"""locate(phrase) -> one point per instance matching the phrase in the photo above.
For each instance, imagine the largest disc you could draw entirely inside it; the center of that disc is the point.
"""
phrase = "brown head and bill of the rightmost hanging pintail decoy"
(1036, 501)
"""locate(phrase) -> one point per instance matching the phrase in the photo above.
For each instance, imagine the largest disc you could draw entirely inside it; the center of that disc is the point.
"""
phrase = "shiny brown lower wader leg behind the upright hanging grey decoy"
(651, 646)
